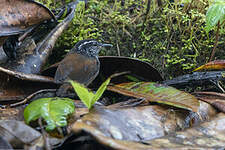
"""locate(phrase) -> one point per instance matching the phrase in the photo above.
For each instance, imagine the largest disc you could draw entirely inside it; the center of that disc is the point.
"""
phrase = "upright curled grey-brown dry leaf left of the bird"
(32, 56)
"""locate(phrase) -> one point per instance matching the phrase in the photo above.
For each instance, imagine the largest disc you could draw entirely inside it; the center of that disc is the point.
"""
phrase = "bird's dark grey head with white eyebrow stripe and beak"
(90, 47)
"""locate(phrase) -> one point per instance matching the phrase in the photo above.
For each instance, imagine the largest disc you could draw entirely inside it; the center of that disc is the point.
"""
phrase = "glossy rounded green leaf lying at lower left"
(53, 110)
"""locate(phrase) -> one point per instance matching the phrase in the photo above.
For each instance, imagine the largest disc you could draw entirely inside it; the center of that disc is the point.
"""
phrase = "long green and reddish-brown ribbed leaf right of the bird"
(153, 92)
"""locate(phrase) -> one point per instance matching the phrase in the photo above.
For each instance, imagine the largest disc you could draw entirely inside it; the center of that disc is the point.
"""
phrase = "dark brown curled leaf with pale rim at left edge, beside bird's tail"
(16, 86)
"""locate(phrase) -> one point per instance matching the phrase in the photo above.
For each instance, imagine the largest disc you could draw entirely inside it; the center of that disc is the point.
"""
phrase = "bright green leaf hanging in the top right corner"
(215, 14)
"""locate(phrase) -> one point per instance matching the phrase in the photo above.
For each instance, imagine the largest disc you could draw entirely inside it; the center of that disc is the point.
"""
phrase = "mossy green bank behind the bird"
(170, 36)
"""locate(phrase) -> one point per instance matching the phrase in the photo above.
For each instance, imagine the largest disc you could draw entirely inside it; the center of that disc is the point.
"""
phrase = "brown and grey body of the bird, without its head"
(77, 67)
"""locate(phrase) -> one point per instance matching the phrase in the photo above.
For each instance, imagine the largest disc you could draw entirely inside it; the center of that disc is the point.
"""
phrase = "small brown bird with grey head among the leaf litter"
(81, 64)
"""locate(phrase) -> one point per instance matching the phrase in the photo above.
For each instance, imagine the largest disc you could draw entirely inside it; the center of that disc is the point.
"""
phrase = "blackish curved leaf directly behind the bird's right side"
(139, 70)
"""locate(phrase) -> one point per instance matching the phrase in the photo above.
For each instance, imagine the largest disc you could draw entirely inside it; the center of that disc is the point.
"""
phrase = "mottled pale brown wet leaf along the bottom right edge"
(209, 135)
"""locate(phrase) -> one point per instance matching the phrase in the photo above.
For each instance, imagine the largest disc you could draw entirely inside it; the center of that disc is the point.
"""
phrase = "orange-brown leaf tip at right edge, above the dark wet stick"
(213, 65)
